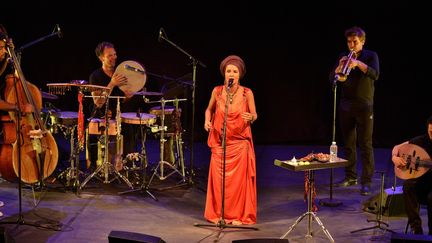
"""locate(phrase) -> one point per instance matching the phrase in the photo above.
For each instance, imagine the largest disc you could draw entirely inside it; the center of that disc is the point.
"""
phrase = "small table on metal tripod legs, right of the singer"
(310, 168)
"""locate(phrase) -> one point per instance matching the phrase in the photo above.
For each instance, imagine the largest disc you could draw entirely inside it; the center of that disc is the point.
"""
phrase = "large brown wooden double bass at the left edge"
(28, 147)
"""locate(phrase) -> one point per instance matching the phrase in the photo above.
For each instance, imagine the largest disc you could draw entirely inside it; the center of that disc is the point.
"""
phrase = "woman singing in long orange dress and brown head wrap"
(240, 205)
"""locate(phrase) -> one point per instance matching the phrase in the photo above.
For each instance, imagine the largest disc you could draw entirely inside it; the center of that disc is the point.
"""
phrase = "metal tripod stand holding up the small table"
(309, 213)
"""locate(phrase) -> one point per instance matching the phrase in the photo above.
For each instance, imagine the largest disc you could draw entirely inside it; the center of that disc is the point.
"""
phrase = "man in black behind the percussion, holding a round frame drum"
(106, 76)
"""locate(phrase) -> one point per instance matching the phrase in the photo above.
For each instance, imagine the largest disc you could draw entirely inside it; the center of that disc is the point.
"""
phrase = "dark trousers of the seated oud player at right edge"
(416, 191)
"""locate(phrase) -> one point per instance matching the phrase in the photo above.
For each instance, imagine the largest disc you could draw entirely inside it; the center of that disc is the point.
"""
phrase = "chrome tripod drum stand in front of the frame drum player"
(106, 167)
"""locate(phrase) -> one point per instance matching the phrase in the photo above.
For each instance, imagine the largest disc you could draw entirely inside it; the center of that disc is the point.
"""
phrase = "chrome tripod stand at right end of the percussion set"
(162, 163)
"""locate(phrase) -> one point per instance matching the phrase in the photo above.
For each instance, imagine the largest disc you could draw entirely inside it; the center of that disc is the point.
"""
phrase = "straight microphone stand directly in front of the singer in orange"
(222, 224)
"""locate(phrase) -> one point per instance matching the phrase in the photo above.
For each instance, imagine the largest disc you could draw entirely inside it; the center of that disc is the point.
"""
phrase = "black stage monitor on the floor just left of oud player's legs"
(392, 203)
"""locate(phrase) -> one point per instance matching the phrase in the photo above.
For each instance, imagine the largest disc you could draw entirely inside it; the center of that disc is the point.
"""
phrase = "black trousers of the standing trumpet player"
(357, 127)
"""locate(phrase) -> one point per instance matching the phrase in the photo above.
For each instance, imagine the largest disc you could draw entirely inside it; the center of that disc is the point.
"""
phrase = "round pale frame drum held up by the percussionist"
(136, 76)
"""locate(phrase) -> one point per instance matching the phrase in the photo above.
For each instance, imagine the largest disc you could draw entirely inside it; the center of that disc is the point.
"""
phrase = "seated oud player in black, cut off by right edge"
(417, 190)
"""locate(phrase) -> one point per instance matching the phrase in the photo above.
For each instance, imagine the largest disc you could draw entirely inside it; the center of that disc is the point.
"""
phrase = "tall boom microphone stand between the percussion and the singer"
(195, 62)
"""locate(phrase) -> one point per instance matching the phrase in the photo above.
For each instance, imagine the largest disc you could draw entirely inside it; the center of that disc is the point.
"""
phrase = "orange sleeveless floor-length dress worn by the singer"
(240, 172)
